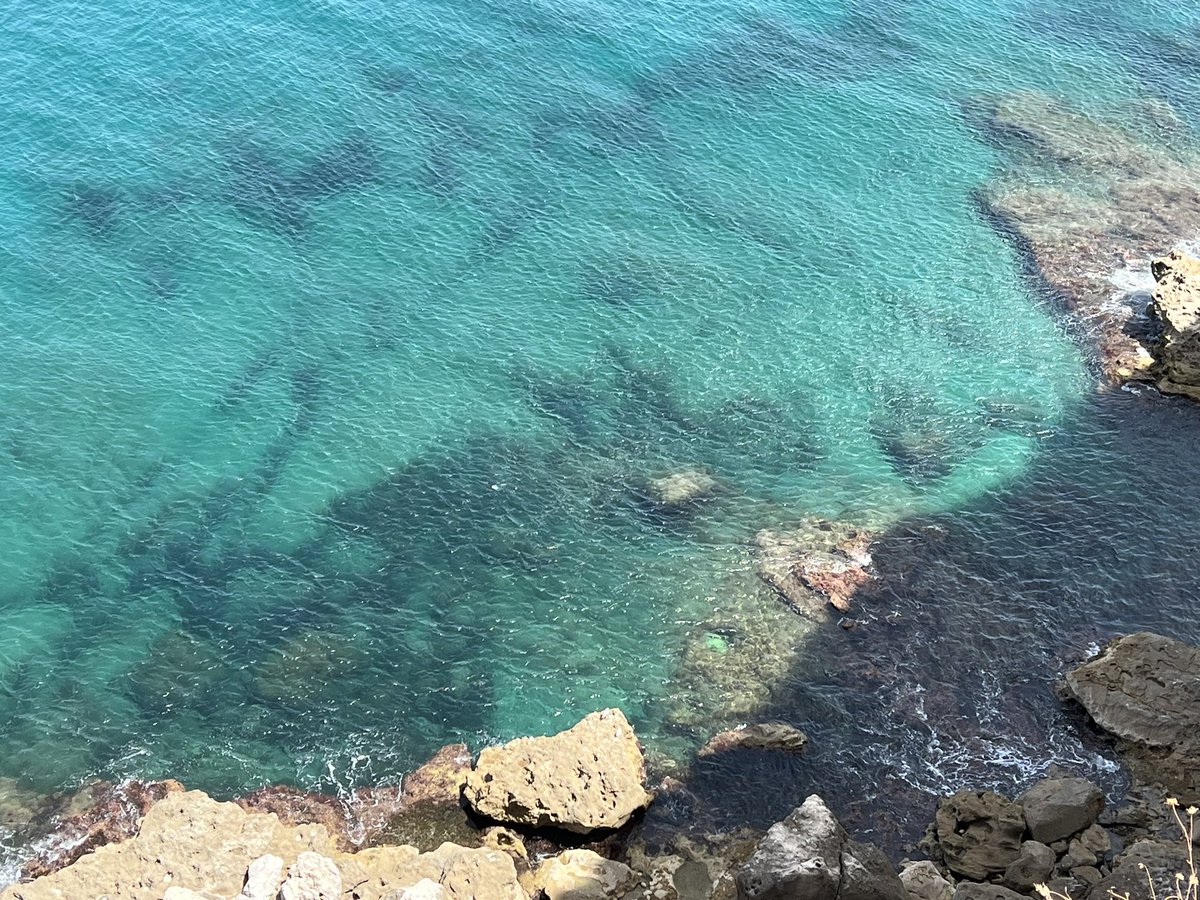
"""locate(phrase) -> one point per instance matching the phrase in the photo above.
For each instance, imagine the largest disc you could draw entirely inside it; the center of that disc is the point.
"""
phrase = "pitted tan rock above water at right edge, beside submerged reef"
(1177, 304)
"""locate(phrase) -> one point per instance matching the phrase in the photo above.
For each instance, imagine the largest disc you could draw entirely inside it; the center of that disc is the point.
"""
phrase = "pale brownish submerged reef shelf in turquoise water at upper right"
(1090, 201)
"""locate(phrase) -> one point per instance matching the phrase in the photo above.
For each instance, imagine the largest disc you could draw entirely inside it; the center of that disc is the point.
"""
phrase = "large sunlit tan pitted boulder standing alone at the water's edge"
(587, 778)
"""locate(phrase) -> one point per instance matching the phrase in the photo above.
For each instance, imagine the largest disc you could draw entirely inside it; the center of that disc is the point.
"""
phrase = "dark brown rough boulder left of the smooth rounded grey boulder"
(980, 833)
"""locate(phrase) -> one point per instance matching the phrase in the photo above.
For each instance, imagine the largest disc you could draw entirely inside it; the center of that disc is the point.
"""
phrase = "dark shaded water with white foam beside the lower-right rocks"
(946, 679)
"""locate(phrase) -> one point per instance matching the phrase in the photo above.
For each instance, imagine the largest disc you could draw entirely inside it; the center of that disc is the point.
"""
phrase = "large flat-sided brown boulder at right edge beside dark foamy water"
(1145, 689)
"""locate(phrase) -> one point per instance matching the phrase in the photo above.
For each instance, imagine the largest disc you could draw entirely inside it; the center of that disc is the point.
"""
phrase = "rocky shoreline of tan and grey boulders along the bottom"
(577, 817)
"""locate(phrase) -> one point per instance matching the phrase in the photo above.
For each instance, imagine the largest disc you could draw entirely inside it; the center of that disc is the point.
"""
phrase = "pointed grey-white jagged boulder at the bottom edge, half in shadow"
(811, 857)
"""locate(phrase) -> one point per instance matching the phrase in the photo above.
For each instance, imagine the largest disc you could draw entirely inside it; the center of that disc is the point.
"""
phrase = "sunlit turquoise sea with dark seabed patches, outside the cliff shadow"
(343, 338)
